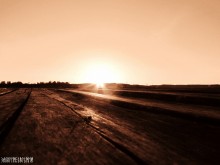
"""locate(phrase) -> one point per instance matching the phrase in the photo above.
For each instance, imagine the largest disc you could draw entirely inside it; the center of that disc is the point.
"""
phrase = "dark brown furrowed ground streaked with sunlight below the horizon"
(69, 126)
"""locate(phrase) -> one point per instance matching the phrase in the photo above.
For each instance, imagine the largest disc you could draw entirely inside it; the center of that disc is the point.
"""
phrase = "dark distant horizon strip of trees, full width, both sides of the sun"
(212, 88)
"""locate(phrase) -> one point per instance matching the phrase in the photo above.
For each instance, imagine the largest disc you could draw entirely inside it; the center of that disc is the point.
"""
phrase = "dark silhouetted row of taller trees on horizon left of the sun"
(50, 84)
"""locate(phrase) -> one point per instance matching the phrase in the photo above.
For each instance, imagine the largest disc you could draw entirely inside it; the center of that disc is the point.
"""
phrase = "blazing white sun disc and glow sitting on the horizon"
(101, 73)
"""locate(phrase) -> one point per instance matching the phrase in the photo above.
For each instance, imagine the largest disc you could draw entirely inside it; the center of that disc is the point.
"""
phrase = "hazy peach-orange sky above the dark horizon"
(138, 41)
